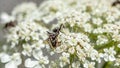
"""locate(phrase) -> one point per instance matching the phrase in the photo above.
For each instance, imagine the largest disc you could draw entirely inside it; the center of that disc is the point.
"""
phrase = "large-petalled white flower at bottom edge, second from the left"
(39, 60)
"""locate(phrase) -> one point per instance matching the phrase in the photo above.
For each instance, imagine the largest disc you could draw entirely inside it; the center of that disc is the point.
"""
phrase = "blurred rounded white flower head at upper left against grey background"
(21, 11)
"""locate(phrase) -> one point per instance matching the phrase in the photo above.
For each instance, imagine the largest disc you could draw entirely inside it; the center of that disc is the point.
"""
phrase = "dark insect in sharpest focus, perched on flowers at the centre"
(52, 39)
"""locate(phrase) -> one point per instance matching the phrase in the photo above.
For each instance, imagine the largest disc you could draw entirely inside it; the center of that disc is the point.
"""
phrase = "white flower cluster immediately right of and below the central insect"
(76, 47)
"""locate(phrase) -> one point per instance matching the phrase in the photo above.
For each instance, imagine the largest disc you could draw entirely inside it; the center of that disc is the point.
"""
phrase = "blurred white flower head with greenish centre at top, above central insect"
(50, 11)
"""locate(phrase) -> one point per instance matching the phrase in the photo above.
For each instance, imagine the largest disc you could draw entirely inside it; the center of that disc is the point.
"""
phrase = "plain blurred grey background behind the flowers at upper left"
(8, 5)
